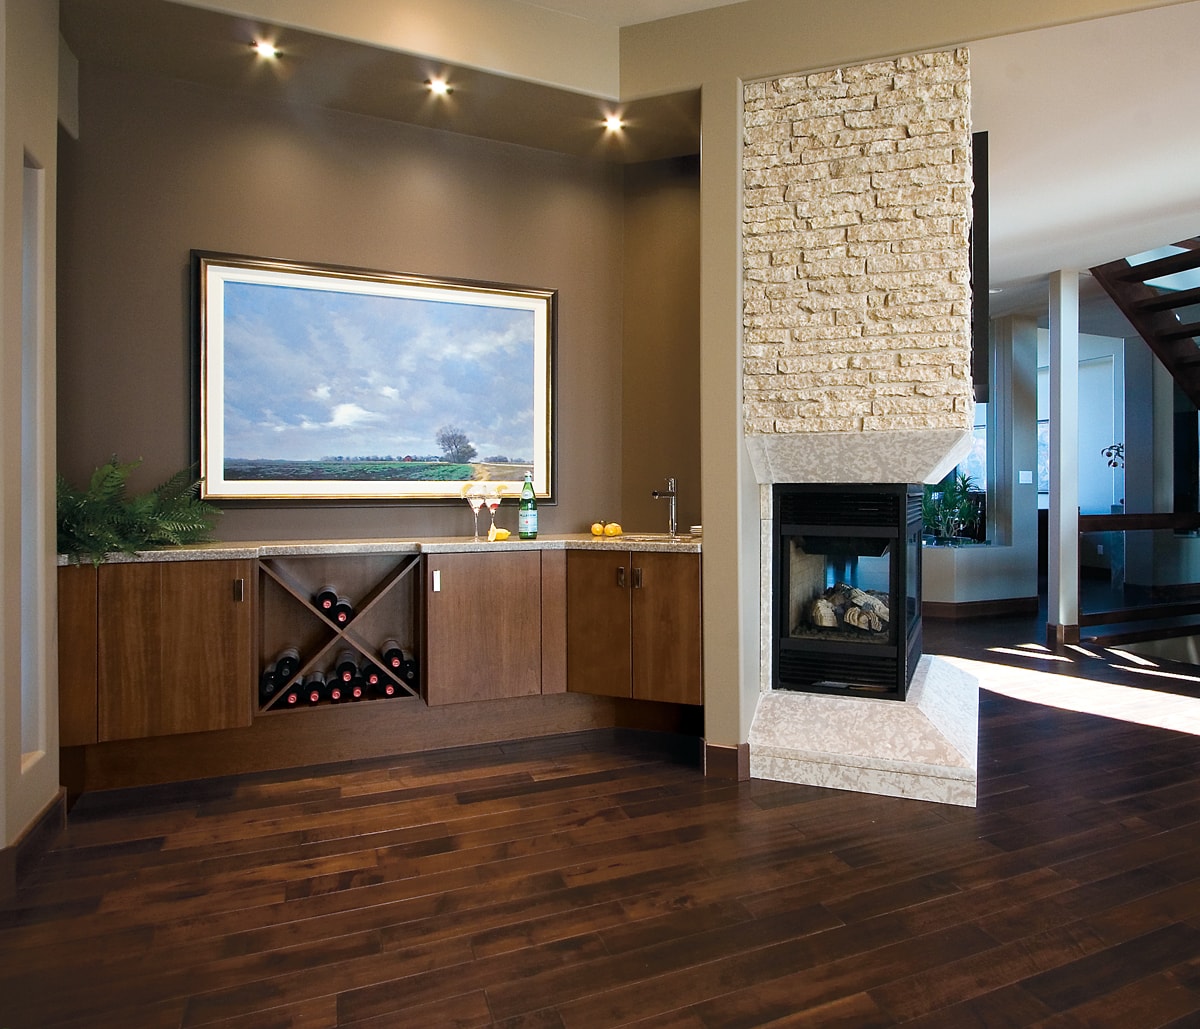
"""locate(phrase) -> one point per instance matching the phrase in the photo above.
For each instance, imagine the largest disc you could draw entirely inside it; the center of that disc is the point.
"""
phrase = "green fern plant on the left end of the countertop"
(105, 520)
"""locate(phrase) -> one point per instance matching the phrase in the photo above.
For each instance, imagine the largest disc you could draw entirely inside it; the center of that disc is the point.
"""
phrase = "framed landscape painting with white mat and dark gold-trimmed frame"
(323, 383)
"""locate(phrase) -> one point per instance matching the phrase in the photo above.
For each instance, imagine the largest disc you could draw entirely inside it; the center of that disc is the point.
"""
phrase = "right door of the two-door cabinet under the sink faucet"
(667, 653)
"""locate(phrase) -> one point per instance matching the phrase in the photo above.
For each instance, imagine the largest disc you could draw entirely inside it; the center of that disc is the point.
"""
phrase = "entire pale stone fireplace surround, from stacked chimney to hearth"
(856, 369)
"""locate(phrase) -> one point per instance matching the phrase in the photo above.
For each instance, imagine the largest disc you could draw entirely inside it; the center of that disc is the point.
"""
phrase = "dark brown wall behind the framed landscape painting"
(163, 169)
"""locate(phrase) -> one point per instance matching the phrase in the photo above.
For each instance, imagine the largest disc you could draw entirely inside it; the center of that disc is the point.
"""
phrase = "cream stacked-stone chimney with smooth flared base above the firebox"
(857, 279)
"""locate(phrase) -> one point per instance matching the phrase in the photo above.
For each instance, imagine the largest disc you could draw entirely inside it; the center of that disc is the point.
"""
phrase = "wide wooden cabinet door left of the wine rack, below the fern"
(175, 648)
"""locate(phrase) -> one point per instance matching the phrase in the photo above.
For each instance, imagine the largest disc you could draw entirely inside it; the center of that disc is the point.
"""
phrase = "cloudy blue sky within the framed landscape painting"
(316, 374)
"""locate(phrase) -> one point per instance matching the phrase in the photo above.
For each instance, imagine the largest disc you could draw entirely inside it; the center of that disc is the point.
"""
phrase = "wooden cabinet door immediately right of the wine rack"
(483, 629)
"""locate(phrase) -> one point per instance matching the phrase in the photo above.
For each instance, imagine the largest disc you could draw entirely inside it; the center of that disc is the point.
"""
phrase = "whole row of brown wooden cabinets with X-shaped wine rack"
(160, 648)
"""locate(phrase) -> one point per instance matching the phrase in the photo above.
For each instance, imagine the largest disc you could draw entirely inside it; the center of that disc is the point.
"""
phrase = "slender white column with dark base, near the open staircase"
(1063, 587)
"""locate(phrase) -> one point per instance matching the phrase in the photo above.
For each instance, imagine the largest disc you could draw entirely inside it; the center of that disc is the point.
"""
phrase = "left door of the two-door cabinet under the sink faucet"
(598, 623)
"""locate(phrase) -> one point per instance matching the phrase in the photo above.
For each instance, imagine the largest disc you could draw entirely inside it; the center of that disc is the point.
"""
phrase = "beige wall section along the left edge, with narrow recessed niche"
(29, 760)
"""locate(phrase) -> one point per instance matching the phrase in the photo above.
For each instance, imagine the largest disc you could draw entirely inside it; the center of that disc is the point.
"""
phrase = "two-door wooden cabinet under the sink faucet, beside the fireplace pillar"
(634, 625)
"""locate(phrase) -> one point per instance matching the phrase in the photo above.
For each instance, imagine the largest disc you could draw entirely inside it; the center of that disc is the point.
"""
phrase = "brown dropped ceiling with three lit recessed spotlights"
(212, 50)
